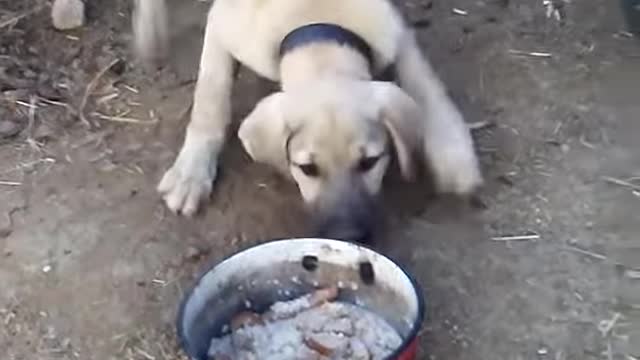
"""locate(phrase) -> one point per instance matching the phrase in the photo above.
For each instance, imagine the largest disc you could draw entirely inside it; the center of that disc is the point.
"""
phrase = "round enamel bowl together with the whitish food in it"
(260, 292)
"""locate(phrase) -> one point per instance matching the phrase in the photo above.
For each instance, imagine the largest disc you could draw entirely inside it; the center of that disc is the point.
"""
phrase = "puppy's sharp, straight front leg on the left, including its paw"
(190, 179)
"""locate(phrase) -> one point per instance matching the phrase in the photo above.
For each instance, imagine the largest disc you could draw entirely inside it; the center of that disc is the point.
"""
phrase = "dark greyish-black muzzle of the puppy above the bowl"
(346, 212)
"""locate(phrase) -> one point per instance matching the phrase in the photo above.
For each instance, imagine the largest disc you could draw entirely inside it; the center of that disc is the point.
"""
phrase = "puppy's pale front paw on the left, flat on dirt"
(189, 181)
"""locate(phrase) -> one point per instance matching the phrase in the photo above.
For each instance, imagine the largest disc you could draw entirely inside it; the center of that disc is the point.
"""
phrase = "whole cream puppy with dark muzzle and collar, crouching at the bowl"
(333, 127)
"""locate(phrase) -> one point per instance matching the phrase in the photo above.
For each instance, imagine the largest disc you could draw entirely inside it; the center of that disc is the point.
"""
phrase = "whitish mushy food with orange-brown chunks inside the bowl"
(314, 326)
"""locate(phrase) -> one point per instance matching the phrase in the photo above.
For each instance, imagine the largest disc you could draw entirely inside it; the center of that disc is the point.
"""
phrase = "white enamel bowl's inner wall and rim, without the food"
(283, 270)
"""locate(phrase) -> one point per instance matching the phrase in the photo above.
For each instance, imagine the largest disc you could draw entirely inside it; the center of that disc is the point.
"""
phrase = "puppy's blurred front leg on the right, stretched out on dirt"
(448, 144)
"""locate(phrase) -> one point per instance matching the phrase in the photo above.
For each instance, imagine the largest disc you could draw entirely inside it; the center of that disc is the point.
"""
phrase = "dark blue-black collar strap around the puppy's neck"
(322, 32)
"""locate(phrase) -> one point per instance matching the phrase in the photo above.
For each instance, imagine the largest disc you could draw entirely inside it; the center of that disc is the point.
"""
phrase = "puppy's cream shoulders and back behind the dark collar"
(251, 31)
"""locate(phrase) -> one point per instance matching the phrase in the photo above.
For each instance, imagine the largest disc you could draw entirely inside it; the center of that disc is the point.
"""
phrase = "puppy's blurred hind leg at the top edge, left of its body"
(150, 30)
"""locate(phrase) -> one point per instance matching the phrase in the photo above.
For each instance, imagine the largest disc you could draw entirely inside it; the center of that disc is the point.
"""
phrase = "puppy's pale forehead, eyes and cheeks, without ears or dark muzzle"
(336, 144)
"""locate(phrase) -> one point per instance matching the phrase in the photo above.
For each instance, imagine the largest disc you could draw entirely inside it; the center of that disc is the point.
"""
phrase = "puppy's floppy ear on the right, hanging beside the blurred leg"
(401, 116)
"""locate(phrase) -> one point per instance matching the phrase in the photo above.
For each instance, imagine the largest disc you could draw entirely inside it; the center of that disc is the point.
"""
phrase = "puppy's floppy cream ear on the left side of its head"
(264, 131)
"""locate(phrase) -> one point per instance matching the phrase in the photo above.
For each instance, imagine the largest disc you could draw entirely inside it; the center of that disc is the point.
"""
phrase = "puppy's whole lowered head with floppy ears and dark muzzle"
(336, 141)
